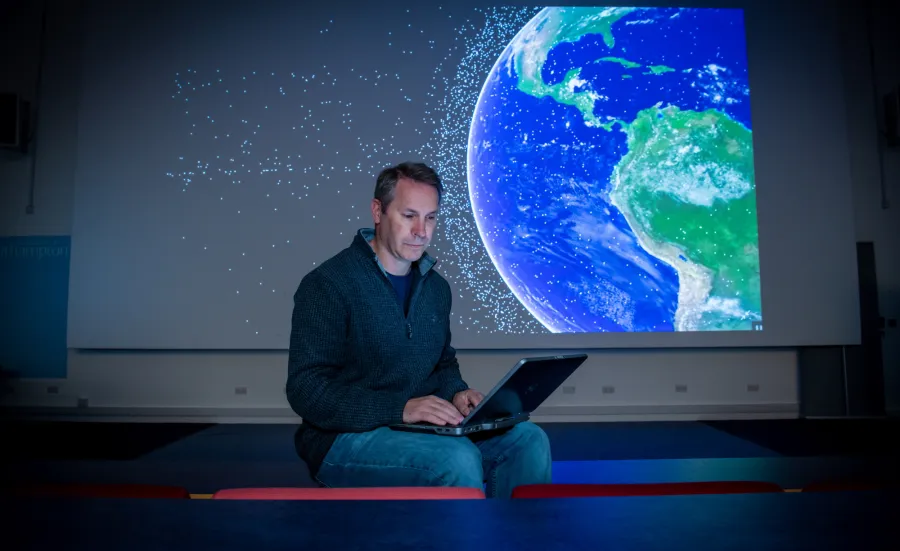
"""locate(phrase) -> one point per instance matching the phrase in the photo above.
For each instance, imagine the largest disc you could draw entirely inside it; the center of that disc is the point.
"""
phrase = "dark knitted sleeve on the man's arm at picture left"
(317, 347)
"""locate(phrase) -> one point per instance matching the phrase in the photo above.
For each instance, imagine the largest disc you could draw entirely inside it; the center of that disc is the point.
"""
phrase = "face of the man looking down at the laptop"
(405, 229)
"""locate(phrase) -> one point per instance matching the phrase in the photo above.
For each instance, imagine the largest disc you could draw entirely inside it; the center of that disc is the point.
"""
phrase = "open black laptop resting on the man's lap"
(513, 399)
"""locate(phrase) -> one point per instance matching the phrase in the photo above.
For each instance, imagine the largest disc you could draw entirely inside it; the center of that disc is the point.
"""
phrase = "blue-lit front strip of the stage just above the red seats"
(205, 477)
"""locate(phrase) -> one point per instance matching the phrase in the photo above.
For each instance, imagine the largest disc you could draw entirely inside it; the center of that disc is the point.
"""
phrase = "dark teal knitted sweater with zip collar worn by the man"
(355, 358)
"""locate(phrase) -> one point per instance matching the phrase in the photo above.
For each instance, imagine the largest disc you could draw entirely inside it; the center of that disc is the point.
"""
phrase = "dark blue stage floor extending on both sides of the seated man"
(206, 457)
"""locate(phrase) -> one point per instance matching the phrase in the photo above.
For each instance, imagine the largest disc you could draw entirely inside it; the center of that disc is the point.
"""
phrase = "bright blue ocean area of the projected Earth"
(540, 176)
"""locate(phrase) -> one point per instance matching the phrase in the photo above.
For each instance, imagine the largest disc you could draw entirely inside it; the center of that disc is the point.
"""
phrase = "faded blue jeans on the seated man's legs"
(385, 457)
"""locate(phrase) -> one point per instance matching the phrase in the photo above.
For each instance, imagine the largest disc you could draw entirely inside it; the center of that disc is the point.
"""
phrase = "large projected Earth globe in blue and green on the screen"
(611, 175)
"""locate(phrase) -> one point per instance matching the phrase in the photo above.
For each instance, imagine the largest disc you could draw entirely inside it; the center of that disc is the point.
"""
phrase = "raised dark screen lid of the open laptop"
(527, 385)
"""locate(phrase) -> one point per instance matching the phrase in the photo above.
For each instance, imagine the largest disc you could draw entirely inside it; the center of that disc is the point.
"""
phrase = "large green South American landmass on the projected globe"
(686, 187)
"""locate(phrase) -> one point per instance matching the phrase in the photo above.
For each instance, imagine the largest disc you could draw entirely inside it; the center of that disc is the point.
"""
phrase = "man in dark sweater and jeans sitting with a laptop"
(370, 347)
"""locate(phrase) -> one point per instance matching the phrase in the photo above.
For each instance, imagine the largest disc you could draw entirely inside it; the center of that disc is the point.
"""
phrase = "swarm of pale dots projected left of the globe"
(274, 147)
